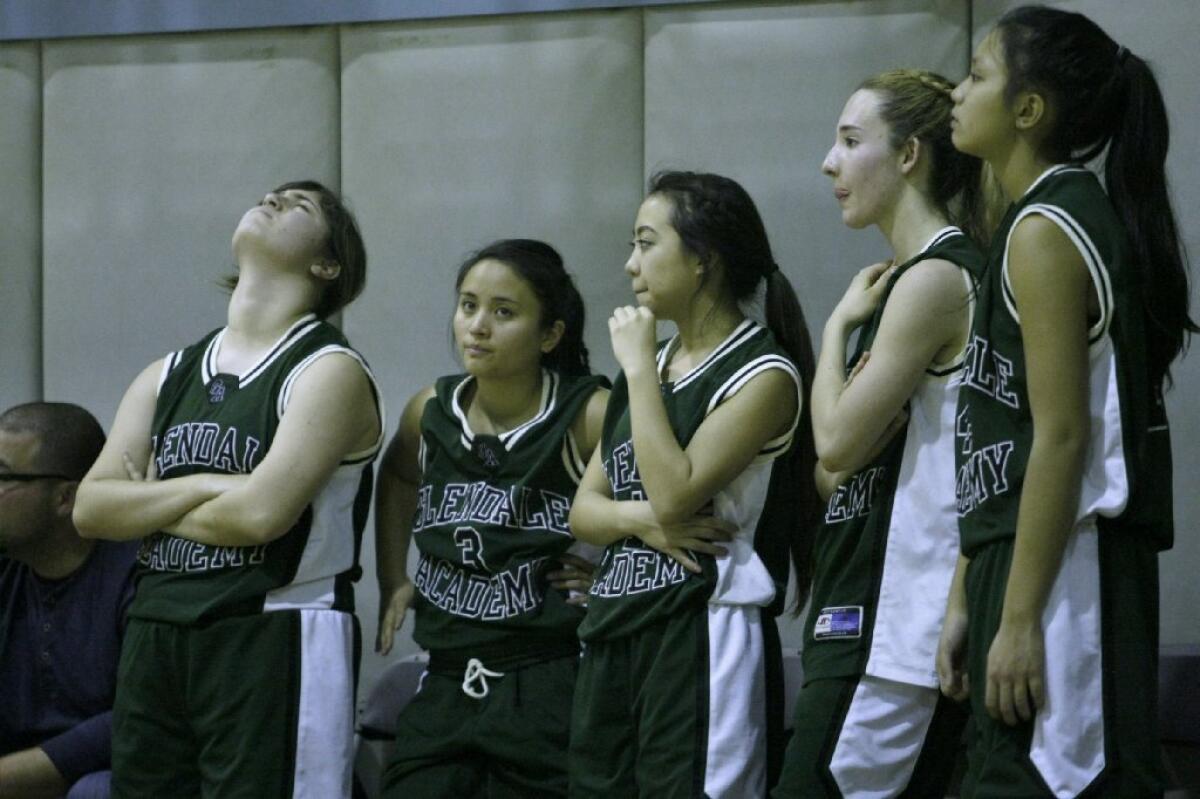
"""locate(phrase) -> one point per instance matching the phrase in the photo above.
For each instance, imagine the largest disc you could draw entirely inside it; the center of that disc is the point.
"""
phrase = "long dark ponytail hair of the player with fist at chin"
(719, 224)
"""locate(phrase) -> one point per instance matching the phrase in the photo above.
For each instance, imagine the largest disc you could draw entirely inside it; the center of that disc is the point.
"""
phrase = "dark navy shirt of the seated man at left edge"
(59, 646)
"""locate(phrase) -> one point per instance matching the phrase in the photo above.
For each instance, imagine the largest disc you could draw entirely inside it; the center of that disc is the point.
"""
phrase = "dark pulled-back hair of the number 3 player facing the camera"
(542, 268)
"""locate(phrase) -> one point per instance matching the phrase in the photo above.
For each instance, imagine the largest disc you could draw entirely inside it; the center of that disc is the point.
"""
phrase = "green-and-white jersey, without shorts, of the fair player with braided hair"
(887, 548)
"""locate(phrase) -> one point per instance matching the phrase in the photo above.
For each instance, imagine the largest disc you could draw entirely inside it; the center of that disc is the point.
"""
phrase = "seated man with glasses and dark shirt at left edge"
(63, 604)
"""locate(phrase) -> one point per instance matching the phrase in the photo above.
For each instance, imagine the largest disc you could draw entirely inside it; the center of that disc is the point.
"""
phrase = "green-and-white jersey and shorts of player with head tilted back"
(238, 671)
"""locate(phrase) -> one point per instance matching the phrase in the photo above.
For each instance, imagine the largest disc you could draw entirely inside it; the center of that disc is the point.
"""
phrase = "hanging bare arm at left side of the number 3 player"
(400, 477)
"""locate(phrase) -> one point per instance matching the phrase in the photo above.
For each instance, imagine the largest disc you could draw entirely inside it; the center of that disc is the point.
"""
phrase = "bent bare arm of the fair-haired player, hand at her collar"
(926, 313)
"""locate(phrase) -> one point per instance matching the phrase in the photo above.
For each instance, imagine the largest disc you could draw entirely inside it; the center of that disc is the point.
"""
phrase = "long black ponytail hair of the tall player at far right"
(1103, 95)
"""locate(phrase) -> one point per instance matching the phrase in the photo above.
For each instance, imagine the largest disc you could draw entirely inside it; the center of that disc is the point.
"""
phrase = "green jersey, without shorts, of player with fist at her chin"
(637, 586)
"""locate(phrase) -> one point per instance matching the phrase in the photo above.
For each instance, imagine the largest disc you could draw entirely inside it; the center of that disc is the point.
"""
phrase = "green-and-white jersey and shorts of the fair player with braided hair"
(871, 720)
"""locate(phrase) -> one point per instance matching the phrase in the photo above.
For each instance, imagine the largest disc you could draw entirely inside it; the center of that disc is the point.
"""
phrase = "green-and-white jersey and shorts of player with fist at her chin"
(681, 677)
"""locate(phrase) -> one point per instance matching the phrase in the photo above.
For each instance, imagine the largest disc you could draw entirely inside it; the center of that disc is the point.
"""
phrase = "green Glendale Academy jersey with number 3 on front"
(491, 521)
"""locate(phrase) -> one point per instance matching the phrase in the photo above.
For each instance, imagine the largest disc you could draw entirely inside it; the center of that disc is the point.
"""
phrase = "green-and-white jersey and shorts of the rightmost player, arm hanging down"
(1099, 729)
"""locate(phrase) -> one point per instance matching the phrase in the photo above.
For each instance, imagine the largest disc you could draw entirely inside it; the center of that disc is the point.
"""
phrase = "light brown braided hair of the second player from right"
(916, 104)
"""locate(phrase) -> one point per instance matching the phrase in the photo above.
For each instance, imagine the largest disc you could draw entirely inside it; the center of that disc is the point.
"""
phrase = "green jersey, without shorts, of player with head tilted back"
(207, 422)
